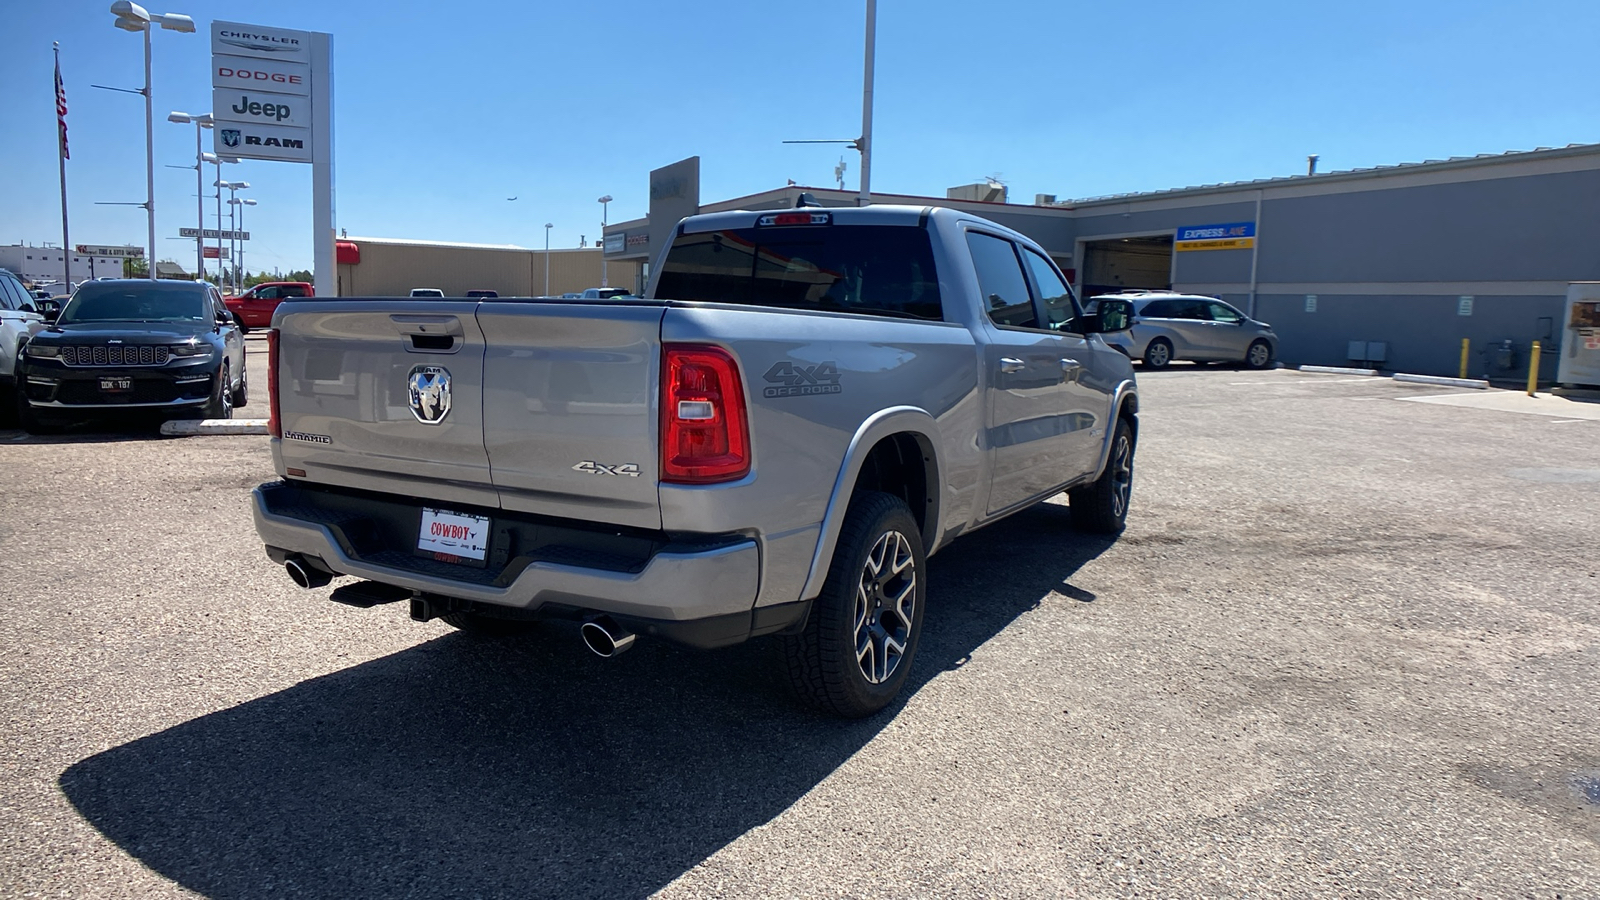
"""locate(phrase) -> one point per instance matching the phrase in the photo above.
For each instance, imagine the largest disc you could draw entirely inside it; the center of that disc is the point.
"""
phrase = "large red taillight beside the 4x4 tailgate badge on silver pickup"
(705, 430)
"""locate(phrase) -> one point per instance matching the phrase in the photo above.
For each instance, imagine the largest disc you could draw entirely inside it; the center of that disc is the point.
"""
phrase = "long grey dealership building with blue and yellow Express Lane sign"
(1388, 267)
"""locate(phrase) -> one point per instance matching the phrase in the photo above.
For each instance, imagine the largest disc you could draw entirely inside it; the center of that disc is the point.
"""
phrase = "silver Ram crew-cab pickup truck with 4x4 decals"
(806, 406)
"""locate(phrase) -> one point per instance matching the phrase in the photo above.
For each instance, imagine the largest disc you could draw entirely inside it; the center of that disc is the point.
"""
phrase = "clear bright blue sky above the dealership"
(447, 110)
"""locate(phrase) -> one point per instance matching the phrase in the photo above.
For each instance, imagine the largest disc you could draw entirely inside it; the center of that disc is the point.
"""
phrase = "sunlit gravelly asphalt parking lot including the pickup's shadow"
(1348, 646)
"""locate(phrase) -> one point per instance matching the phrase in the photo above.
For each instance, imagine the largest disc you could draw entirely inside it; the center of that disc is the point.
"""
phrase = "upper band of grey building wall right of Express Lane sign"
(1532, 228)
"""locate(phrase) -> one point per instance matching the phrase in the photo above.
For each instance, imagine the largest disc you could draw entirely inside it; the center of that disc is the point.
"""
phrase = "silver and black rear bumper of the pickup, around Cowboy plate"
(671, 585)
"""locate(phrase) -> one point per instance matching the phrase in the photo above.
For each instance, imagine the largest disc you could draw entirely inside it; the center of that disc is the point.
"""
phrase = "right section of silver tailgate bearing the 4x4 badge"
(570, 409)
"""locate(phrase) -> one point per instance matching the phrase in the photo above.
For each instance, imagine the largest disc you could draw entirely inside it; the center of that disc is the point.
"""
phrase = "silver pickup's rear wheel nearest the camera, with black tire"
(863, 630)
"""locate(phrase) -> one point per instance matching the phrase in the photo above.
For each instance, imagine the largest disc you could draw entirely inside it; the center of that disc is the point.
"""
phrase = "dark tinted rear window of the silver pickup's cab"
(866, 270)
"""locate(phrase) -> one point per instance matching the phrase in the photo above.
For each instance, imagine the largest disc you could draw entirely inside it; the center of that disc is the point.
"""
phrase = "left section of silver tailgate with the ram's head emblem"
(346, 398)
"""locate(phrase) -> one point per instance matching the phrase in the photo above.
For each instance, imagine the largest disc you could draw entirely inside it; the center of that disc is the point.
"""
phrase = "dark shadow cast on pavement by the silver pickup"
(490, 769)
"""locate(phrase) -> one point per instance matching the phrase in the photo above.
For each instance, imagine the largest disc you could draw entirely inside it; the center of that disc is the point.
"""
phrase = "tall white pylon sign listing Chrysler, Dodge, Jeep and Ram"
(273, 100)
